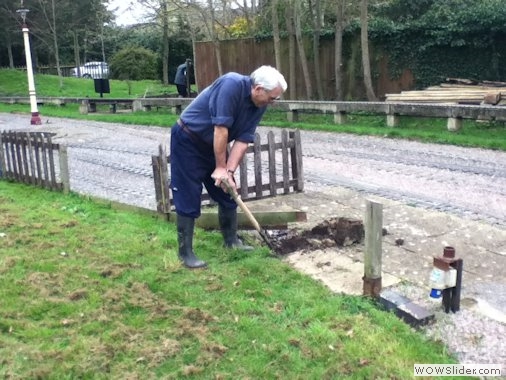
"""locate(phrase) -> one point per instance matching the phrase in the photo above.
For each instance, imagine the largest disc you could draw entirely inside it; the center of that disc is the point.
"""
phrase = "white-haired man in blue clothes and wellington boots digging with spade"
(228, 111)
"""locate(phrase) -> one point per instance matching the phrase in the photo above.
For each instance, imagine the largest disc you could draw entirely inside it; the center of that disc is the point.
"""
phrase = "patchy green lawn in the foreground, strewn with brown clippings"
(91, 292)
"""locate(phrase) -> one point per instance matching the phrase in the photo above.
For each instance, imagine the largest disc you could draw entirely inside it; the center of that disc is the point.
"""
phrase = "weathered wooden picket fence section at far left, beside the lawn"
(29, 157)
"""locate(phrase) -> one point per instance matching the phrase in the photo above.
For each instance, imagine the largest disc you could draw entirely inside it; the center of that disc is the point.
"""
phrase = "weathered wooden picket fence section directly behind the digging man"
(284, 170)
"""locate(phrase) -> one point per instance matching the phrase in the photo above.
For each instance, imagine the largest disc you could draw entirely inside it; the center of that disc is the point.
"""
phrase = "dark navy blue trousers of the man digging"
(191, 164)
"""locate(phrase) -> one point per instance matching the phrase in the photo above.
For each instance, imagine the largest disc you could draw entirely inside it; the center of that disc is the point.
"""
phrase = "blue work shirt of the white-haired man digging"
(226, 102)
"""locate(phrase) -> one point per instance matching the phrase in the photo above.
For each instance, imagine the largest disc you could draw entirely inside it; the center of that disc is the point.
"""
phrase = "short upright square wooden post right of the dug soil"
(373, 250)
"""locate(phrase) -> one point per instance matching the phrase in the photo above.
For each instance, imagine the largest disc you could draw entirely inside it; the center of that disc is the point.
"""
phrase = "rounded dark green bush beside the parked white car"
(134, 63)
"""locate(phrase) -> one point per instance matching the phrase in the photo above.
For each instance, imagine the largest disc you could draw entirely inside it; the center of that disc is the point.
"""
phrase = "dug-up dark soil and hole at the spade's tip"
(330, 233)
